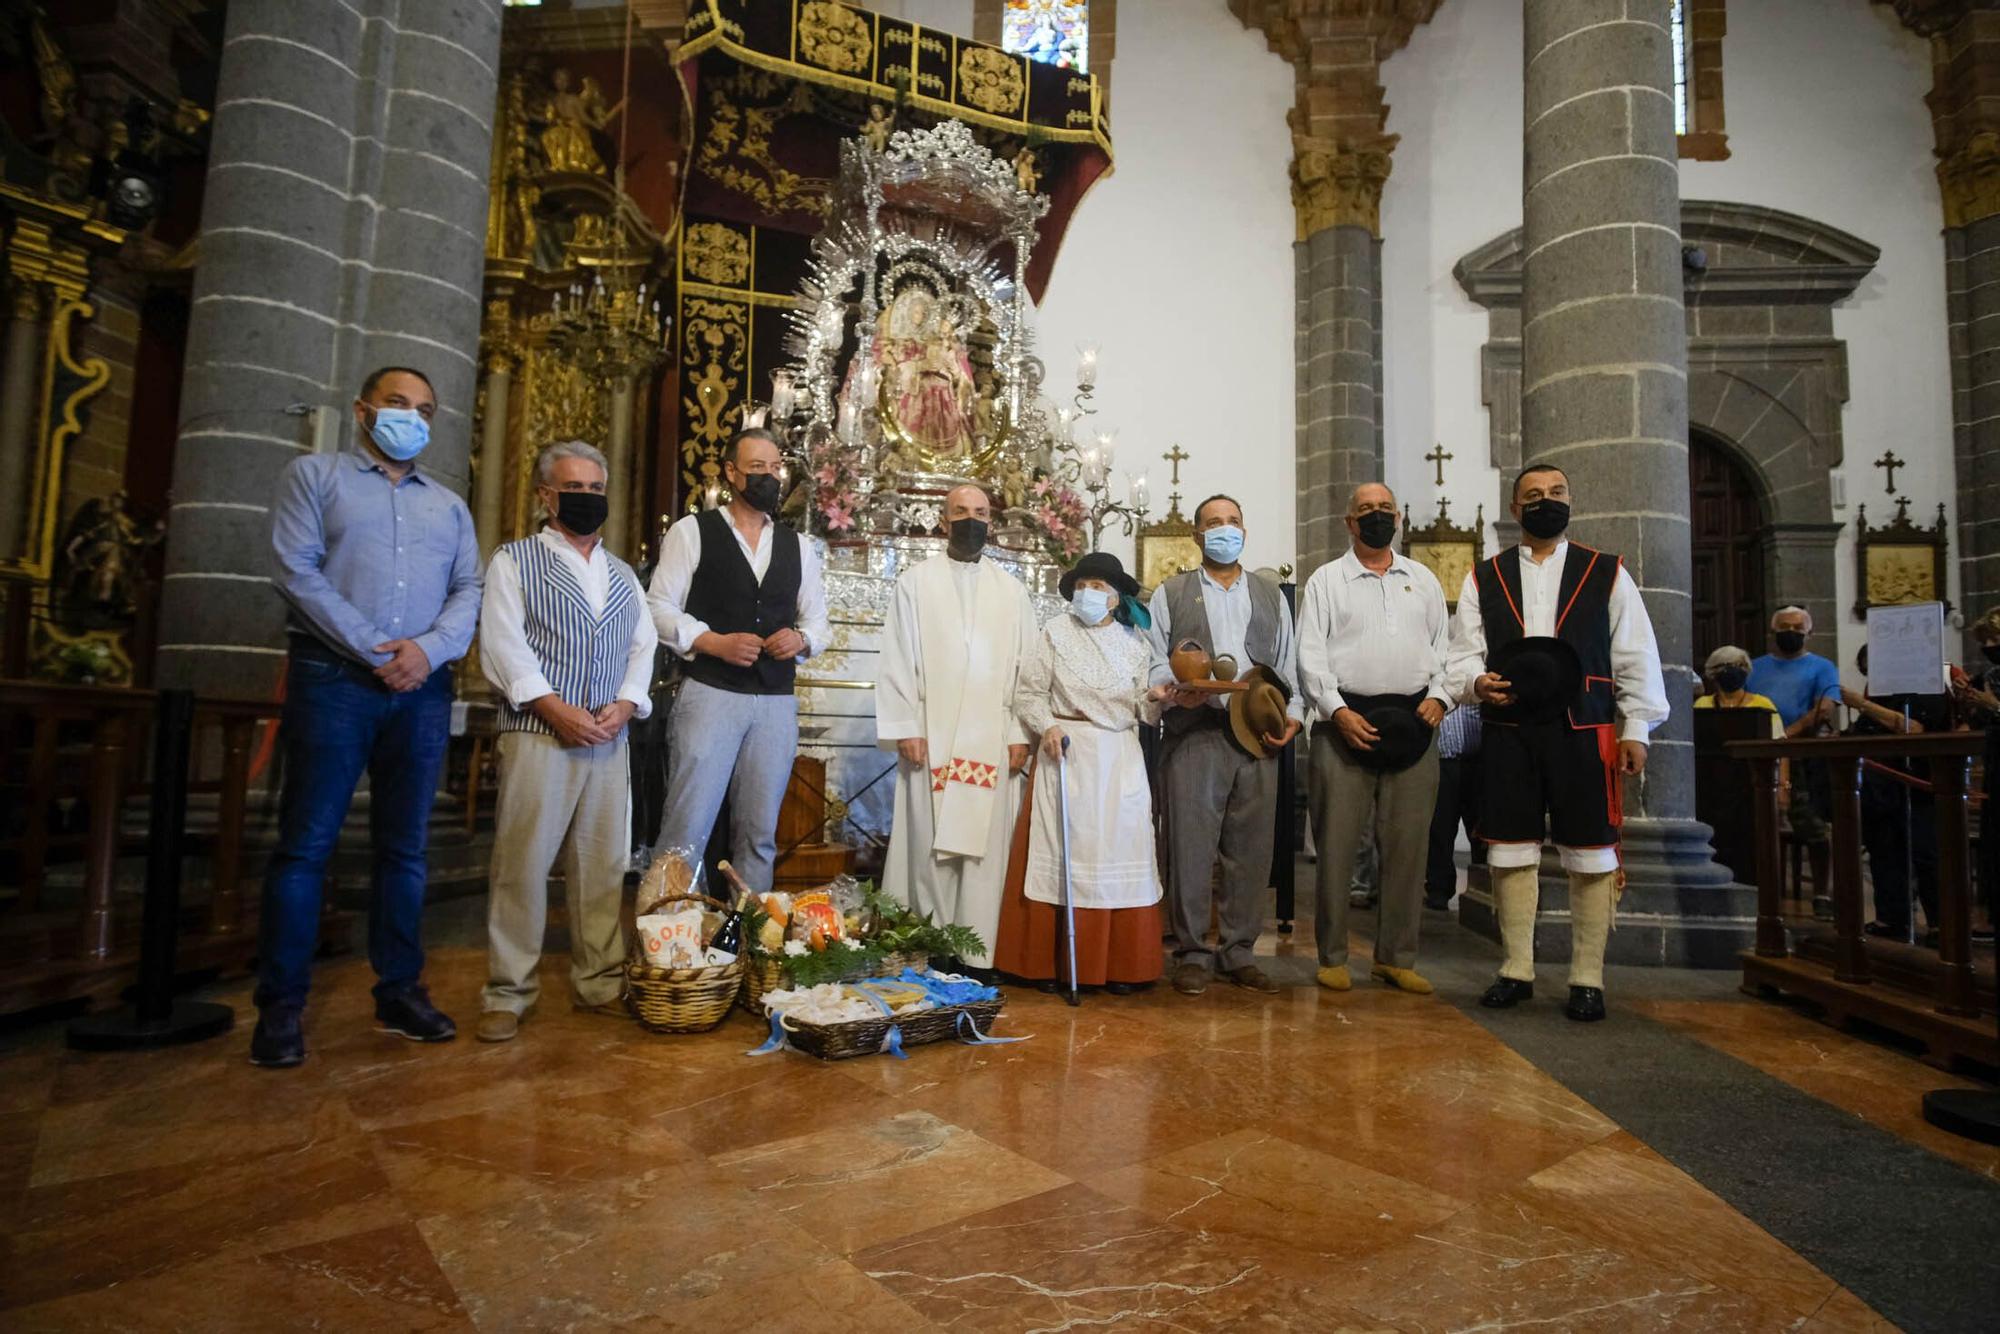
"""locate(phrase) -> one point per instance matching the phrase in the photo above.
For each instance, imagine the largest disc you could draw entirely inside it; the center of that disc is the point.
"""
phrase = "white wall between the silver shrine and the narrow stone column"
(1181, 267)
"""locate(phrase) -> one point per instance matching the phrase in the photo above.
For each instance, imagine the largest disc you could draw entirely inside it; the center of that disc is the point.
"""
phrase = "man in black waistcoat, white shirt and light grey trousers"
(743, 601)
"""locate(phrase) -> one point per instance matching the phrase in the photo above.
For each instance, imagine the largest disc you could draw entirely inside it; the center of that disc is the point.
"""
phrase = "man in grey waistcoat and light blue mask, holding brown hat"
(1221, 801)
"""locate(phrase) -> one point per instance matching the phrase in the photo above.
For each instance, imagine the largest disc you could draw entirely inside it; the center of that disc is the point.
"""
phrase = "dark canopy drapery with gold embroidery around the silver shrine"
(775, 91)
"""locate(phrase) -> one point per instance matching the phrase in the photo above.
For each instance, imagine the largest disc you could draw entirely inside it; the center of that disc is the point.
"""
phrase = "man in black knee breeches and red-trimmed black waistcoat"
(1555, 645)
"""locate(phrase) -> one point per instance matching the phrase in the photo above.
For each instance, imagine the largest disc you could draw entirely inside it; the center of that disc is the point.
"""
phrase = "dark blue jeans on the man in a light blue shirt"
(341, 721)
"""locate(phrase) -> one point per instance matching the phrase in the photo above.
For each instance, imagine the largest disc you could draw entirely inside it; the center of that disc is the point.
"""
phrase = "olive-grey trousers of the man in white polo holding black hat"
(1351, 803)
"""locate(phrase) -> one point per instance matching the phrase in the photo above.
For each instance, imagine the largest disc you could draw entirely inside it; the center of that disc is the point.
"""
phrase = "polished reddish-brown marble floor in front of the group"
(1155, 1163)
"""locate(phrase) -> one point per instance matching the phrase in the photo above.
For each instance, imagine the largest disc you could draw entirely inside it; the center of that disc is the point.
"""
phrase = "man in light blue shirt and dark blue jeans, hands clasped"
(381, 573)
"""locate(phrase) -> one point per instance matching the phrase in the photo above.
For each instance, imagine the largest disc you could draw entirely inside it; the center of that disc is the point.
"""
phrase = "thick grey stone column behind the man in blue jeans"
(343, 229)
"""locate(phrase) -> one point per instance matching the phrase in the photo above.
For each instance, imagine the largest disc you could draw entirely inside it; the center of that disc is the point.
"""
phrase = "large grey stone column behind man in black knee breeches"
(1605, 395)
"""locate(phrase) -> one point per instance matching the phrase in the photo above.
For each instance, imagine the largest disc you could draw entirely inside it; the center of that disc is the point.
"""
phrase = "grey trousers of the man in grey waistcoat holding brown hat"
(1219, 801)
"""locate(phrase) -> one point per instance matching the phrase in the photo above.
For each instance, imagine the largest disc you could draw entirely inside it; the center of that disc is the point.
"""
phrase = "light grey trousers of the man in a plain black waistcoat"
(739, 747)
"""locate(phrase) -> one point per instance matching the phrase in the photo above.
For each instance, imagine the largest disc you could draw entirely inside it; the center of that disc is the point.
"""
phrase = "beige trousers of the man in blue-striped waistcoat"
(573, 803)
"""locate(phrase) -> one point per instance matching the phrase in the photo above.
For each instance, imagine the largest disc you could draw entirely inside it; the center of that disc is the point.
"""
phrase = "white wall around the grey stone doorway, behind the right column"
(1825, 119)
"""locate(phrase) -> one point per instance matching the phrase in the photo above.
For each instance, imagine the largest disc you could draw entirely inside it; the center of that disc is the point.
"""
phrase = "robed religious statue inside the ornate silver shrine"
(927, 389)
